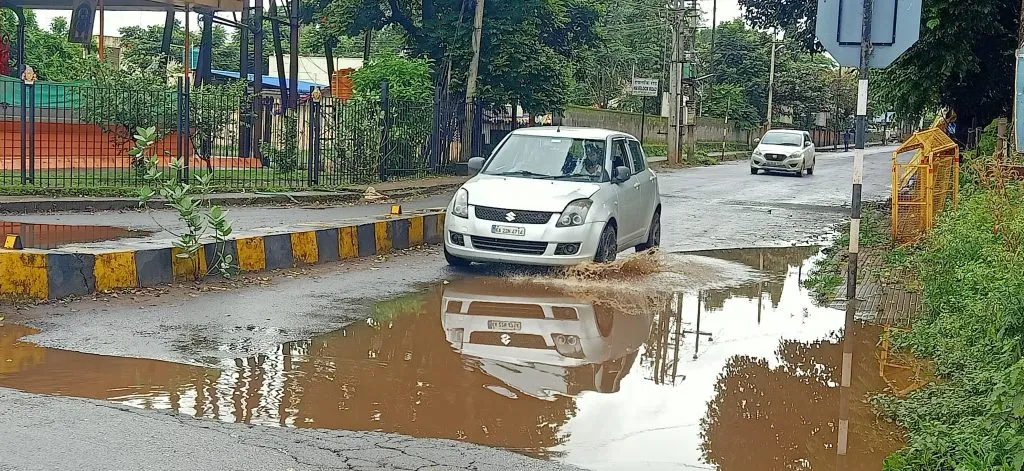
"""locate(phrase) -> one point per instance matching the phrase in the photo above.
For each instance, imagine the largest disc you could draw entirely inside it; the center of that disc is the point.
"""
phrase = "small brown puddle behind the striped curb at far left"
(57, 236)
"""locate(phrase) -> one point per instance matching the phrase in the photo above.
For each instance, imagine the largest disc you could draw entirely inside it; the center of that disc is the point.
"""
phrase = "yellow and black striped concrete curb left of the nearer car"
(56, 275)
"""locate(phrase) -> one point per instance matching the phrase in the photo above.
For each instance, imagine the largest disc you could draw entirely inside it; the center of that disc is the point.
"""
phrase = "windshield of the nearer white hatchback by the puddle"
(550, 158)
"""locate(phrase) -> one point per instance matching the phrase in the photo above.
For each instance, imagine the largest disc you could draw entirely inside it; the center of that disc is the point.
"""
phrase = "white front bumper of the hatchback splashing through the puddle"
(586, 236)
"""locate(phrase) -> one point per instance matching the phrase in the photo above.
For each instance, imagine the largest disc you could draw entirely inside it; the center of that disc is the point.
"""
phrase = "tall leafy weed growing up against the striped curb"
(200, 219)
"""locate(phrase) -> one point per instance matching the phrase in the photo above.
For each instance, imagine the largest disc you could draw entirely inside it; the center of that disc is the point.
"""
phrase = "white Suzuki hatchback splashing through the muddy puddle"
(556, 196)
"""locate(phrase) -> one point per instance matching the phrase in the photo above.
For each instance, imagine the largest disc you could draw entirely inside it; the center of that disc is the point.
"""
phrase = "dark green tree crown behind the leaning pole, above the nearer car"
(526, 45)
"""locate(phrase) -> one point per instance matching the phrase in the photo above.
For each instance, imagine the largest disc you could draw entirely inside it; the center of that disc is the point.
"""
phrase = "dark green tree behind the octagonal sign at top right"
(964, 60)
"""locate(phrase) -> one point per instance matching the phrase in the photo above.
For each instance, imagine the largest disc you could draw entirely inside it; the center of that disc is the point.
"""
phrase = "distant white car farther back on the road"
(785, 151)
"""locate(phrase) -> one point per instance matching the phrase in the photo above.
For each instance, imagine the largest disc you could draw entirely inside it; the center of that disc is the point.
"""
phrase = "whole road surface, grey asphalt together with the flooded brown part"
(300, 372)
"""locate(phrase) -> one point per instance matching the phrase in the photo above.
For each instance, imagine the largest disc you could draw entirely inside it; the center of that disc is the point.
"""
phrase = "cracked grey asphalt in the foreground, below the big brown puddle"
(64, 434)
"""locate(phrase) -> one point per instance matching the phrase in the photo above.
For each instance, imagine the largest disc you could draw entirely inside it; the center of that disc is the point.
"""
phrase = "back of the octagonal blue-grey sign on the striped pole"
(895, 27)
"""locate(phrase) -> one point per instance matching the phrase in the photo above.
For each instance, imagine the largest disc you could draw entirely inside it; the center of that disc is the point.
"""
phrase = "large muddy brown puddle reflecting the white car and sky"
(746, 378)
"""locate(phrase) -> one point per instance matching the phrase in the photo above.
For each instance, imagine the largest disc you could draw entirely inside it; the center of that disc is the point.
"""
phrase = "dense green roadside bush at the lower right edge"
(972, 328)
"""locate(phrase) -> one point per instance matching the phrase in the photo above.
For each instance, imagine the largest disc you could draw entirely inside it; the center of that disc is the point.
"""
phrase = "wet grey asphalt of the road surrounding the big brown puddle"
(706, 208)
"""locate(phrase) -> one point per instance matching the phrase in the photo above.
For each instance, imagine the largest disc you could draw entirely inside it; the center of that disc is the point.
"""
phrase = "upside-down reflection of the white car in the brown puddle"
(539, 344)
